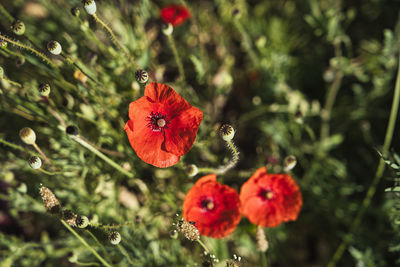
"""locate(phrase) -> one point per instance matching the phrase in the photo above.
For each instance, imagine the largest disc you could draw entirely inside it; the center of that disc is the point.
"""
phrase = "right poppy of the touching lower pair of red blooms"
(270, 199)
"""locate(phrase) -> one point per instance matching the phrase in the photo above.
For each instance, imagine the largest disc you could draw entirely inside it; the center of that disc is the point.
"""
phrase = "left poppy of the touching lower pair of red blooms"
(213, 207)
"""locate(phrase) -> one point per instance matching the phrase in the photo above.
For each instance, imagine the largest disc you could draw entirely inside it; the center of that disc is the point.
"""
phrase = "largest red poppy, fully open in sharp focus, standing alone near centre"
(162, 126)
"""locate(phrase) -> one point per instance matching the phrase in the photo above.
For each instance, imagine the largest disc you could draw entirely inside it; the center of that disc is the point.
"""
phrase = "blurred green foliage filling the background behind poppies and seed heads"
(314, 79)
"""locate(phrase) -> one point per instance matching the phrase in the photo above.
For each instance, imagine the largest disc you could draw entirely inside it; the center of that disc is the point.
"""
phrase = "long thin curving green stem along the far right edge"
(378, 175)
